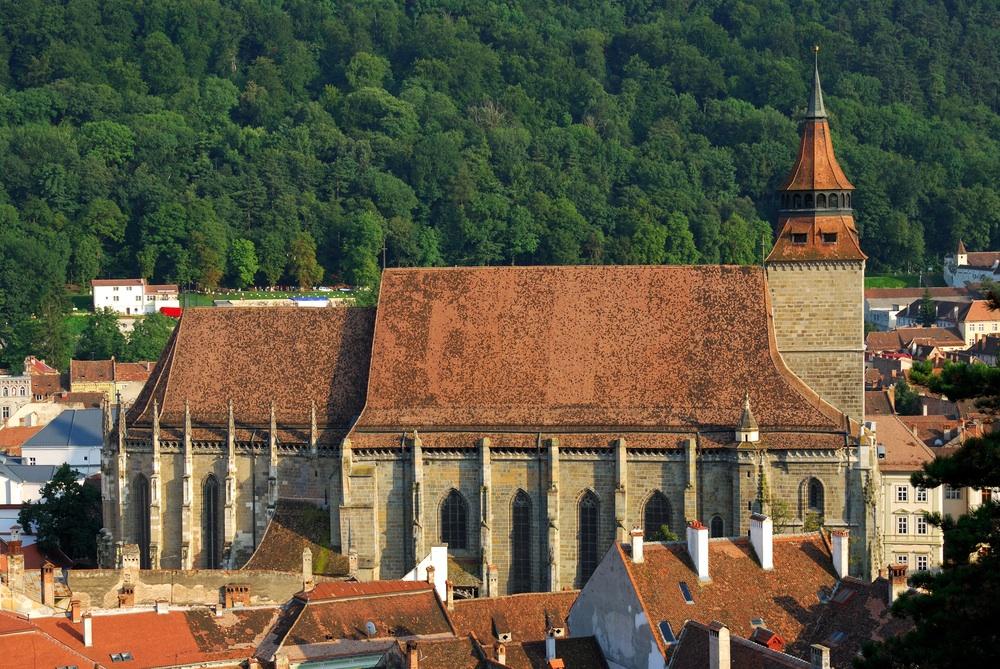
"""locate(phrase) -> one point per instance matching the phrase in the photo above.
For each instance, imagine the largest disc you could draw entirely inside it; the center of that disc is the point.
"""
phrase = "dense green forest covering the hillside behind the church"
(262, 142)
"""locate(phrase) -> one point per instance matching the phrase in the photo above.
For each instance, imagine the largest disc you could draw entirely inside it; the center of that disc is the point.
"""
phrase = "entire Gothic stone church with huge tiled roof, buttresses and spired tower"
(525, 416)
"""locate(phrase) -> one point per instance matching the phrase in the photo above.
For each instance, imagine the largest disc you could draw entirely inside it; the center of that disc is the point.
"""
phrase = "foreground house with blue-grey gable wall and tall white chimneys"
(795, 587)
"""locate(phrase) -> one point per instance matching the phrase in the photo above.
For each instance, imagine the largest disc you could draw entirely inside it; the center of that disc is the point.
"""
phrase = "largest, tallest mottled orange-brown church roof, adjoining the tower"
(580, 346)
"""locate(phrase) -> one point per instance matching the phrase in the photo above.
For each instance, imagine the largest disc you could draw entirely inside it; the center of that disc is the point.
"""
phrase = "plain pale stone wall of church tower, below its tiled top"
(818, 312)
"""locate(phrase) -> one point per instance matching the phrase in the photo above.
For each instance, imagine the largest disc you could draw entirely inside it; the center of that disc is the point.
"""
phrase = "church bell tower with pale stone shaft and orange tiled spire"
(815, 270)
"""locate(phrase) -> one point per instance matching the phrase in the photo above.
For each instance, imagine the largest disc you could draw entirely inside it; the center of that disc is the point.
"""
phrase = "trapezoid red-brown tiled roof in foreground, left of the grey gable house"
(343, 610)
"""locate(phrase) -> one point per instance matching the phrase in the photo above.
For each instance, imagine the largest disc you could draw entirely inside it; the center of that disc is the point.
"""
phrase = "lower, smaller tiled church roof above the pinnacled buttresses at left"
(254, 357)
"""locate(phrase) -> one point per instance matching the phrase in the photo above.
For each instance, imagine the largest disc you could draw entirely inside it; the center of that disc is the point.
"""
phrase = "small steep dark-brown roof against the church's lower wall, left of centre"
(297, 525)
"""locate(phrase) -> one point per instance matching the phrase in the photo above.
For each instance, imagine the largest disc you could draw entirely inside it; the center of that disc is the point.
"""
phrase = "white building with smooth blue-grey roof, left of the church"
(74, 437)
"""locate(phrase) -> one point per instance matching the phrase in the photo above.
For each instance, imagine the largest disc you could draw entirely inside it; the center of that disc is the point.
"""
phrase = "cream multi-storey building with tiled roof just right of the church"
(907, 536)
